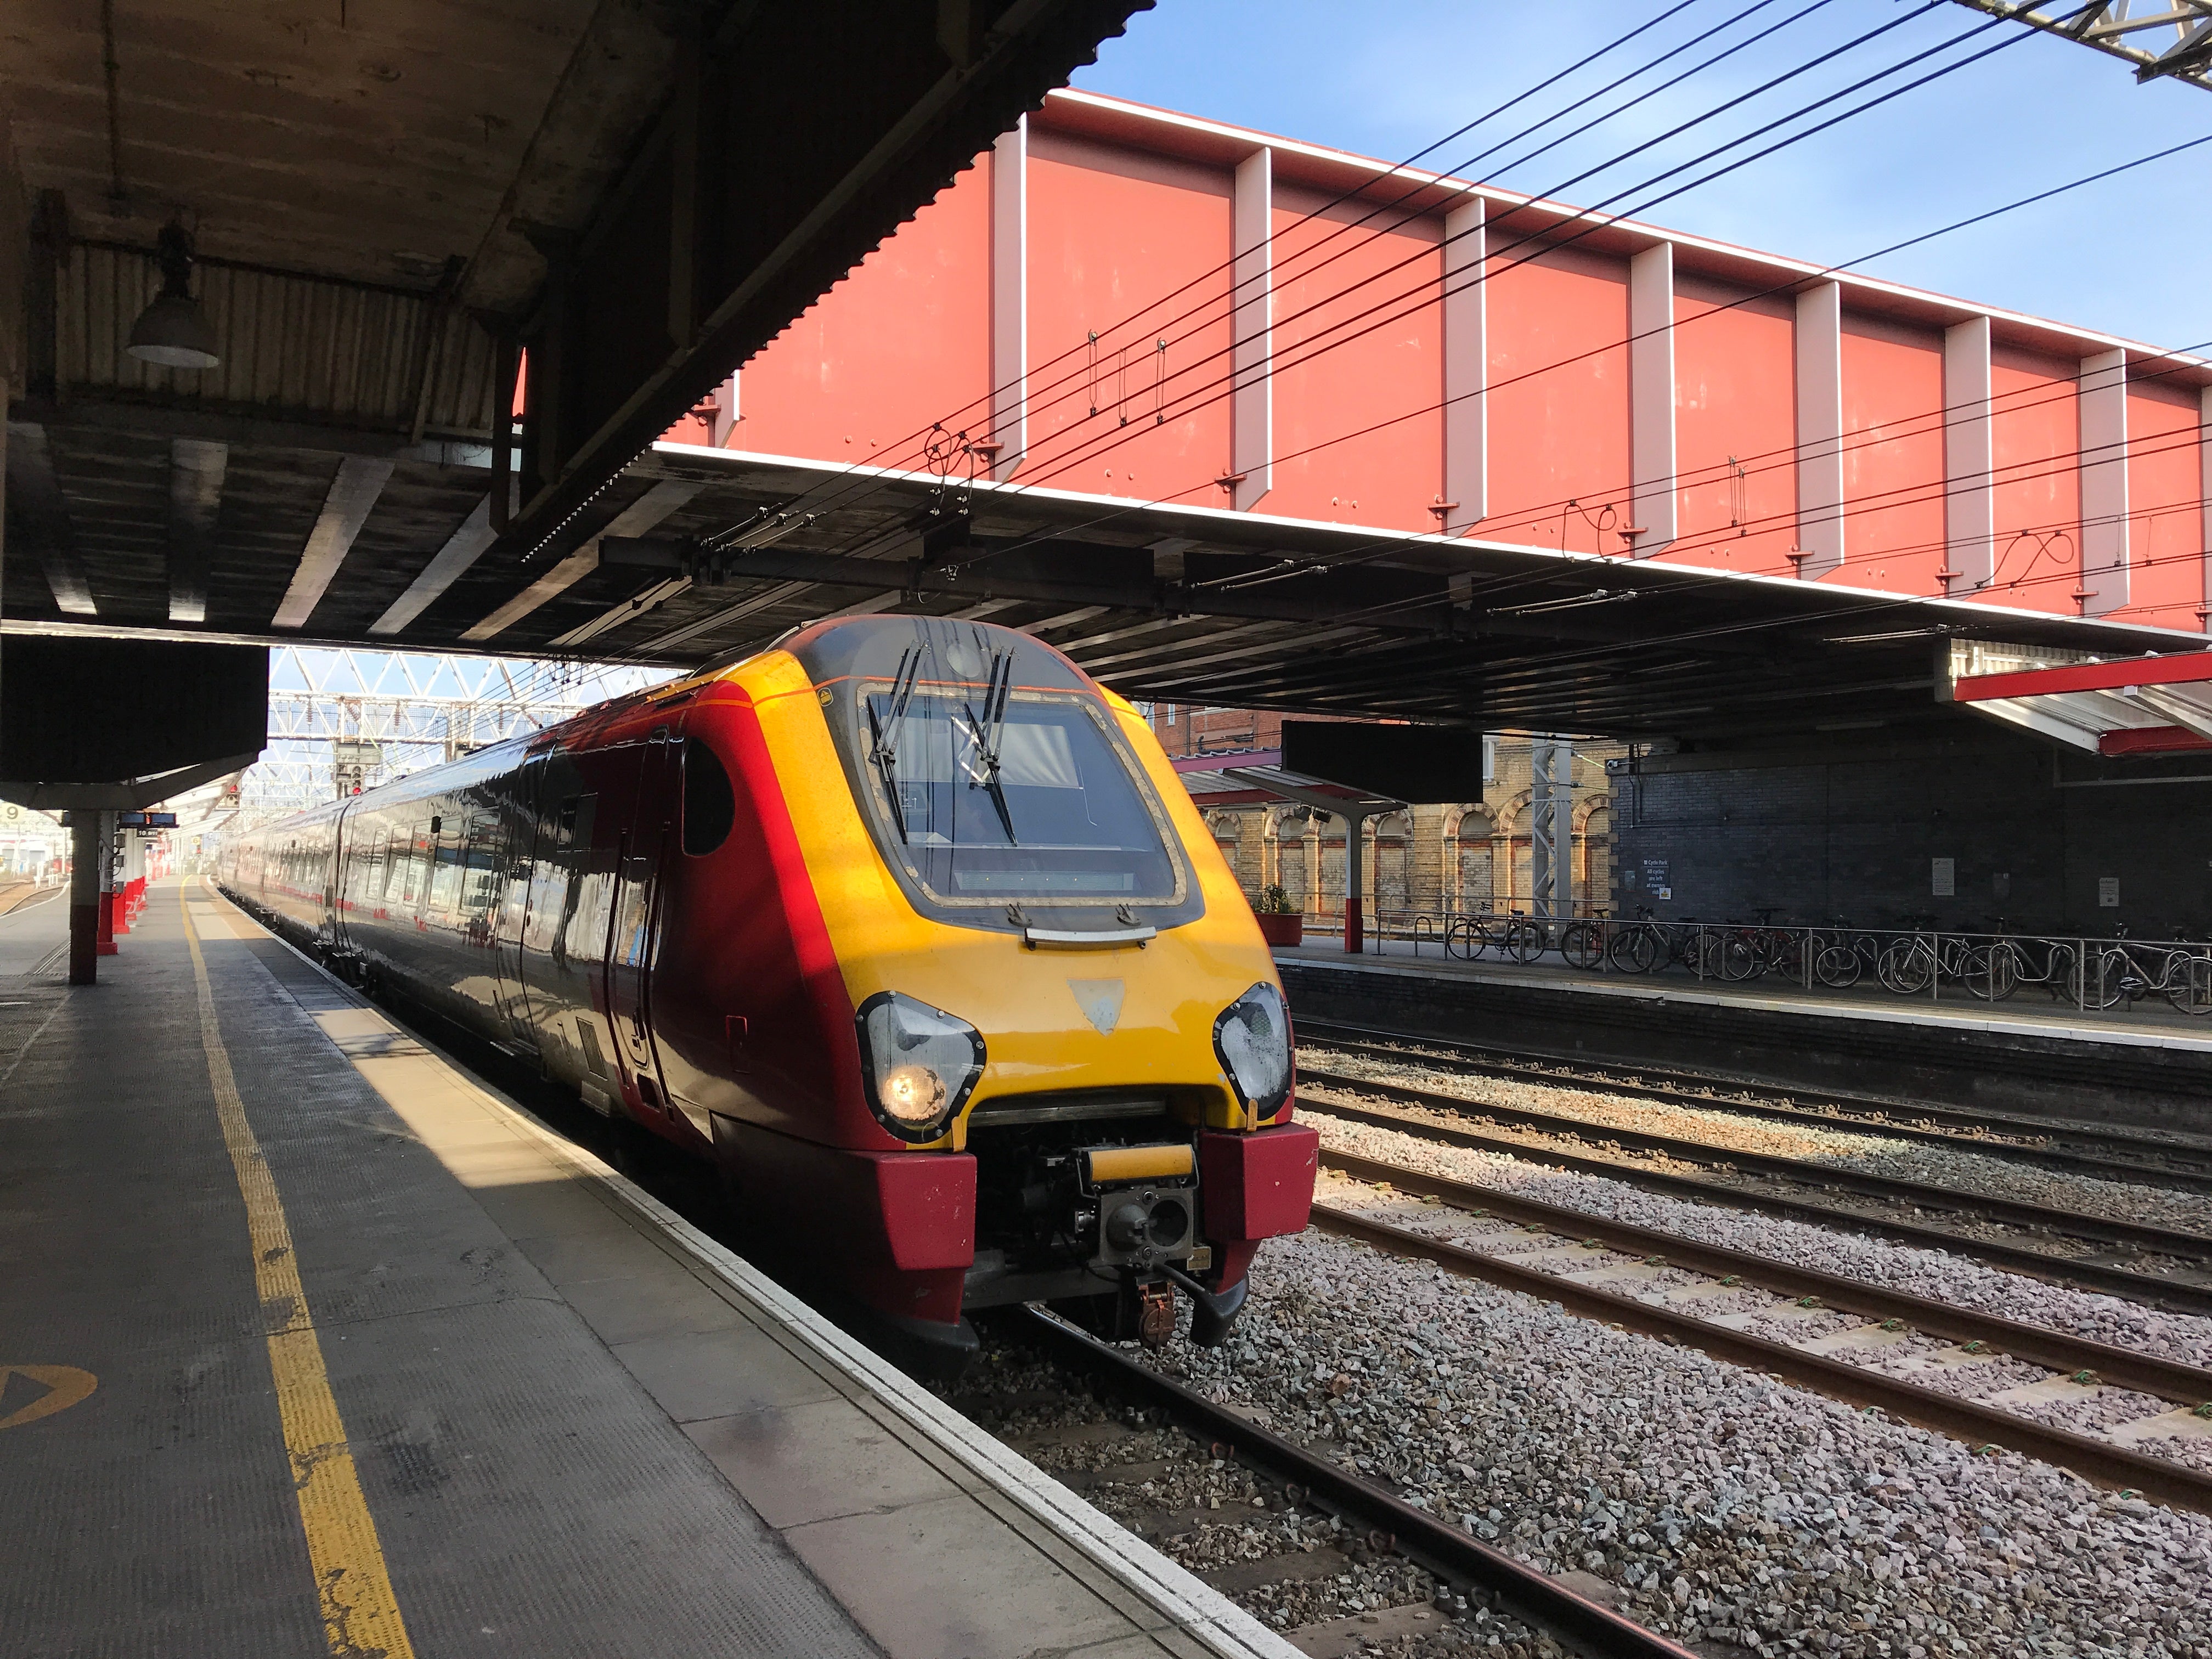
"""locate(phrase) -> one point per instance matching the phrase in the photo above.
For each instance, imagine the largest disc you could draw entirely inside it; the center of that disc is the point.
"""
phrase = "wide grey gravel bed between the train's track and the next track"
(1729, 1510)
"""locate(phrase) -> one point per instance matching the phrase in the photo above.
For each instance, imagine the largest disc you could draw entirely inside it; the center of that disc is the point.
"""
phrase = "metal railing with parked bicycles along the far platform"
(2089, 974)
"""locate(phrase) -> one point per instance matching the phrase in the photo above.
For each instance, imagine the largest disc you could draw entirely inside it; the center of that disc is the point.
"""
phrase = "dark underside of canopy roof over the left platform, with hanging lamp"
(390, 207)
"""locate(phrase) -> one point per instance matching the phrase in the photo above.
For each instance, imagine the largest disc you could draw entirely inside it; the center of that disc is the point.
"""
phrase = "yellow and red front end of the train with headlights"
(1058, 1056)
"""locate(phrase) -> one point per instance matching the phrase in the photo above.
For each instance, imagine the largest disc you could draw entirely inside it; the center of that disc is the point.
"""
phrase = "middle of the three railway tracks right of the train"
(1355, 1098)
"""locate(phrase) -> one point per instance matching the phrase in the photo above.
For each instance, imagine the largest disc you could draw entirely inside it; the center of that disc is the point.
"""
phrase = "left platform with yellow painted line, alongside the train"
(315, 1344)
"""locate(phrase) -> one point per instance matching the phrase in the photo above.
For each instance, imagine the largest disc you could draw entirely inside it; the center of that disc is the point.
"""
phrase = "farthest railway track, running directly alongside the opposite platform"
(2125, 1156)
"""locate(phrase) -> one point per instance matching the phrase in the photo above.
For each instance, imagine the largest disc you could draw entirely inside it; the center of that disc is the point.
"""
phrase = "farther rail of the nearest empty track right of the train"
(2038, 1344)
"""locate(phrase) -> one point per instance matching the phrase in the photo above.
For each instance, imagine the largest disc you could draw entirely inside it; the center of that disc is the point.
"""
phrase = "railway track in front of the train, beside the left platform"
(1328, 1521)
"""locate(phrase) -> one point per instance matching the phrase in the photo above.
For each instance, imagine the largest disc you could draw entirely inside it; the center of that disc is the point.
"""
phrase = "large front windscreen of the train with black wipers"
(1012, 797)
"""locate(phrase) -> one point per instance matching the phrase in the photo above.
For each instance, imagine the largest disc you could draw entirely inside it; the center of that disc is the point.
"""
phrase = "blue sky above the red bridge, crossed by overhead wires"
(1392, 76)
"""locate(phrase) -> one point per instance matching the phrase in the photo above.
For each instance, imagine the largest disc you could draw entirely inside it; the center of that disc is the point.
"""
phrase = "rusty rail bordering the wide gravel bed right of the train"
(1979, 1426)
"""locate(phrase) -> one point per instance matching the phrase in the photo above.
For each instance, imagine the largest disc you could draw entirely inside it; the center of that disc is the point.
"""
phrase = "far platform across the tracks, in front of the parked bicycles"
(2023, 1056)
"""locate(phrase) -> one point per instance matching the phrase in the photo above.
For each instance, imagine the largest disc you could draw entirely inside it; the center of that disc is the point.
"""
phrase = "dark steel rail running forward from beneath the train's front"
(1448, 1552)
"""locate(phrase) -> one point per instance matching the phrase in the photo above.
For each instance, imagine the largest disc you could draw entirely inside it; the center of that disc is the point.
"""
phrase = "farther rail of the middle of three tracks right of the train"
(2189, 1246)
